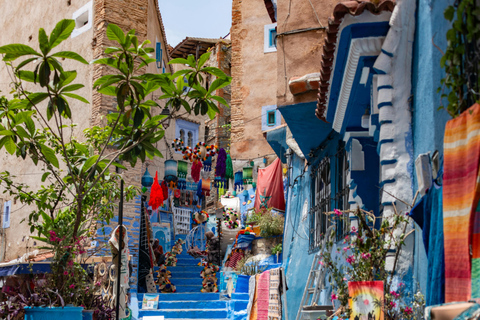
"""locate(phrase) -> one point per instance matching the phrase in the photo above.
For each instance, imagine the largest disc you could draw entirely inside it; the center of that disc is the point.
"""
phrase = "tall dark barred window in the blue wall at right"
(330, 191)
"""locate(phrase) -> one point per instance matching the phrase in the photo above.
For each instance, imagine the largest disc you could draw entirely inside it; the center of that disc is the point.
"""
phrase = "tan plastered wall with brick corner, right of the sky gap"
(254, 79)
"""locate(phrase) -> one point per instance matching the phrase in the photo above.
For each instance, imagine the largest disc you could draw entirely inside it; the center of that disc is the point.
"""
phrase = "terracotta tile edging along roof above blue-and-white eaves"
(353, 8)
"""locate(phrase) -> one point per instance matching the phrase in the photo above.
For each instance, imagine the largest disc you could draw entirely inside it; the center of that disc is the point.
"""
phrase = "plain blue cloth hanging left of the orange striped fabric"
(428, 214)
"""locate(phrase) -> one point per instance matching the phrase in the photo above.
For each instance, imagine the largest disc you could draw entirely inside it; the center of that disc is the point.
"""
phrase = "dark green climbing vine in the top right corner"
(462, 58)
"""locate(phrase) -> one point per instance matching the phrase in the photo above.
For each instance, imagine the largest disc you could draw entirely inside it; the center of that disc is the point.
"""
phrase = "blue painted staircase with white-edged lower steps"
(189, 302)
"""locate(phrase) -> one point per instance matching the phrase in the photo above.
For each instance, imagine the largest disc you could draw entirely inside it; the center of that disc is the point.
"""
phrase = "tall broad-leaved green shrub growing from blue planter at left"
(79, 188)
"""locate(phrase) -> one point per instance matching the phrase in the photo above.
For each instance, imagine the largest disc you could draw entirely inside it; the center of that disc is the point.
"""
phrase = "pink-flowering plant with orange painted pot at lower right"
(358, 273)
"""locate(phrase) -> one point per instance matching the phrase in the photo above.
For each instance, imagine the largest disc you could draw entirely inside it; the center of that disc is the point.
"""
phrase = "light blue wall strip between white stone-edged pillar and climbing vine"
(428, 121)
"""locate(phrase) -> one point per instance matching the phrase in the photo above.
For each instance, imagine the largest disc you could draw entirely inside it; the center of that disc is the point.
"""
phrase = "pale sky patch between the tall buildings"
(195, 18)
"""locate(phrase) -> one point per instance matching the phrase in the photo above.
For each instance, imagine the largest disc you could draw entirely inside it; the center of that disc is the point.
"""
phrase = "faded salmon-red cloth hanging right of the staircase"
(270, 187)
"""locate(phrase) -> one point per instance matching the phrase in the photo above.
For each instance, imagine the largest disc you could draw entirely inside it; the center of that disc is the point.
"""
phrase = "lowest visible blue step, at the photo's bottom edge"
(186, 314)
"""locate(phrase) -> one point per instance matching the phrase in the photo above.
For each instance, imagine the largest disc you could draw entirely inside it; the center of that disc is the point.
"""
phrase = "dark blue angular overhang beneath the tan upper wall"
(308, 130)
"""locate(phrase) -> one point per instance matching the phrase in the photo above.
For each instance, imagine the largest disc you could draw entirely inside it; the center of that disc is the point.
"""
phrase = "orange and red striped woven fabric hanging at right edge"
(460, 198)
